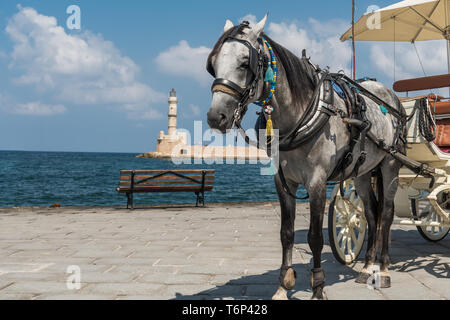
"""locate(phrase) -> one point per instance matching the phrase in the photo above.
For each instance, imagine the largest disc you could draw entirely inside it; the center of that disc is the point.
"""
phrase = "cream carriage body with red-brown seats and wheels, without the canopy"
(417, 203)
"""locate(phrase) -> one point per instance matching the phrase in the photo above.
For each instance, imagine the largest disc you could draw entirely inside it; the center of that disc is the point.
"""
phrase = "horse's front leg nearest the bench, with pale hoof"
(287, 272)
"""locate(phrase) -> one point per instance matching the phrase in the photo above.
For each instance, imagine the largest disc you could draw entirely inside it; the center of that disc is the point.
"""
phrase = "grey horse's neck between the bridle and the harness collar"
(289, 106)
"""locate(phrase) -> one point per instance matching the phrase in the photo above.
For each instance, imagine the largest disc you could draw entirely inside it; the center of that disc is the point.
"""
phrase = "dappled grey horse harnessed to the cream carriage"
(311, 163)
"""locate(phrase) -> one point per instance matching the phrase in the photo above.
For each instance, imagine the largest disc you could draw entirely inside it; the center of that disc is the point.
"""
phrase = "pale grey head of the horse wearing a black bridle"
(236, 64)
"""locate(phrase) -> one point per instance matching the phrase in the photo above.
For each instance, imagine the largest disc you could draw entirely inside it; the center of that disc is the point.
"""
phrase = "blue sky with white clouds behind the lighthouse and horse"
(104, 87)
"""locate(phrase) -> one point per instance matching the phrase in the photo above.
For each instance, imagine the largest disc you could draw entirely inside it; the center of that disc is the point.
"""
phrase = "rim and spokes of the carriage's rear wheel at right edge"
(428, 214)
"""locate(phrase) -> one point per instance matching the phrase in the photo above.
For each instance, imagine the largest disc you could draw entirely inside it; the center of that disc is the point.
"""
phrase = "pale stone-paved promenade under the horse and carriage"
(222, 251)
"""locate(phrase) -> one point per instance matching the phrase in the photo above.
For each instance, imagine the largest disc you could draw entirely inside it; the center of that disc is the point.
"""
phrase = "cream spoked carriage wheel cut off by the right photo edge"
(425, 212)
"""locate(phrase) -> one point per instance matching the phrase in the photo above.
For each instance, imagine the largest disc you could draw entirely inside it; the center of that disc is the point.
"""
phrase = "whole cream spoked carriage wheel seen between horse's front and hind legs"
(346, 224)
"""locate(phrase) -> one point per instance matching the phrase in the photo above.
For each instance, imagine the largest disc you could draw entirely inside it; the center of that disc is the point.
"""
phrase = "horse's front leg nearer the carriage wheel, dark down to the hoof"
(317, 193)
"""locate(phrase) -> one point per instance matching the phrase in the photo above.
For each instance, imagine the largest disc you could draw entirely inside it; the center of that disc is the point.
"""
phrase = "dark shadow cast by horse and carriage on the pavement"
(404, 256)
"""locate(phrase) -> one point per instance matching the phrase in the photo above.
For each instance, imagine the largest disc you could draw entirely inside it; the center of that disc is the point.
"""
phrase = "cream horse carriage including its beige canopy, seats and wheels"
(417, 202)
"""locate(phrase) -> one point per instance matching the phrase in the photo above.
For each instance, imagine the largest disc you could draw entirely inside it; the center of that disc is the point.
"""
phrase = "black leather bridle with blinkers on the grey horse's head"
(257, 63)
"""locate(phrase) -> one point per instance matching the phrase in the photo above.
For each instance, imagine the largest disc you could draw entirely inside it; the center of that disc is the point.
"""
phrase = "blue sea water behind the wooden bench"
(91, 179)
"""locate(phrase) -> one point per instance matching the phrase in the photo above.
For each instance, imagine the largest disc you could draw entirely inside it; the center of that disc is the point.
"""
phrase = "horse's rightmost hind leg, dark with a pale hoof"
(389, 170)
